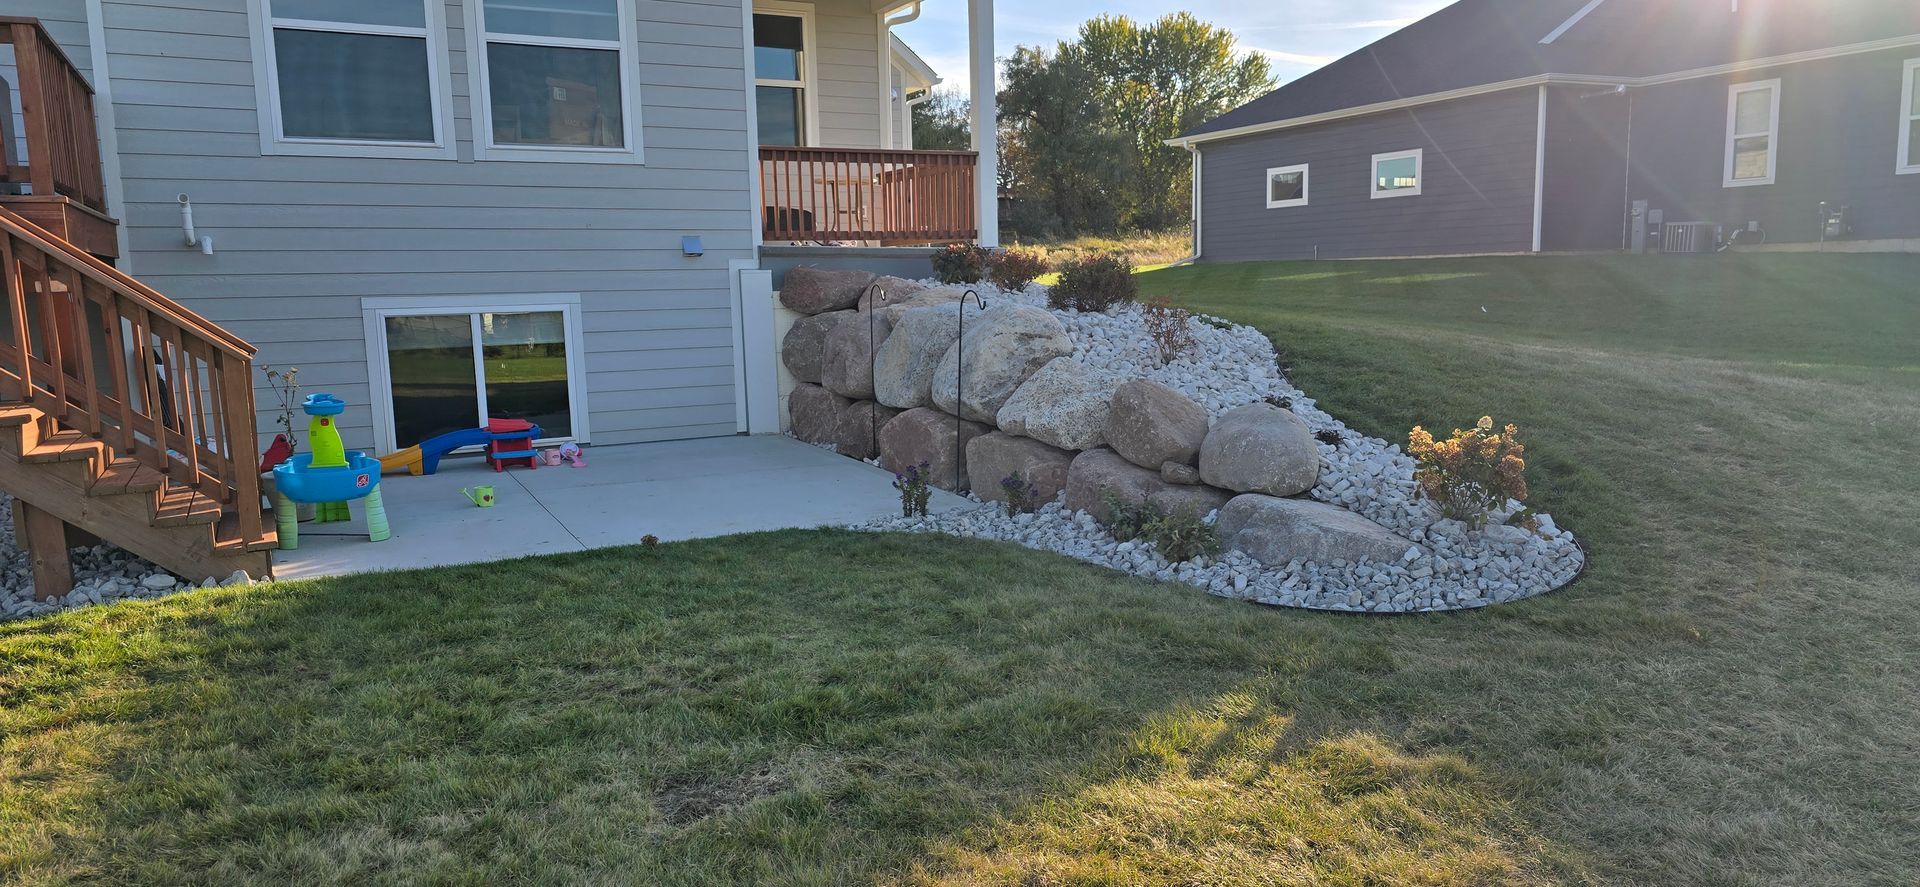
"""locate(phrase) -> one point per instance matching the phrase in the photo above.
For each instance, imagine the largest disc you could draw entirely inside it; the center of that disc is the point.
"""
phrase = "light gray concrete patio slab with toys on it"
(675, 491)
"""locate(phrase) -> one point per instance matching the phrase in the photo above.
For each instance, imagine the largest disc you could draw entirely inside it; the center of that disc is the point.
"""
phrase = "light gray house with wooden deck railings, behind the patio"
(448, 210)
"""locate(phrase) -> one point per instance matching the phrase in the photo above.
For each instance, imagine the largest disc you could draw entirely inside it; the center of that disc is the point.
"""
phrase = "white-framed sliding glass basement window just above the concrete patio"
(458, 370)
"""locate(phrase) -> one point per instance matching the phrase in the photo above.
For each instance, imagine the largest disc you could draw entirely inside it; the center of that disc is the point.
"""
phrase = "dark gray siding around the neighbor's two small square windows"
(1477, 193)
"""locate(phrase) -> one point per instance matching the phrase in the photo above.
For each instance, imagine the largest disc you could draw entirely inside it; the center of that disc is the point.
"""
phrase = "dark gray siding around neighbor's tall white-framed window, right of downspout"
(1838, 143)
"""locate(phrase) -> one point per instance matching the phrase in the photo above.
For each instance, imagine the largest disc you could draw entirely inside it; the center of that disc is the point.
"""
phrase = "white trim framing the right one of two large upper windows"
(479, 91)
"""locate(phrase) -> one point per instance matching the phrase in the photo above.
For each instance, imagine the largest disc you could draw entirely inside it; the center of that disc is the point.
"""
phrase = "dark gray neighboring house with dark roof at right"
(1581, 126)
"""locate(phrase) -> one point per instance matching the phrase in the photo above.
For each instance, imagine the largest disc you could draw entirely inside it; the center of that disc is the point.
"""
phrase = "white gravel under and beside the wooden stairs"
(101, 575)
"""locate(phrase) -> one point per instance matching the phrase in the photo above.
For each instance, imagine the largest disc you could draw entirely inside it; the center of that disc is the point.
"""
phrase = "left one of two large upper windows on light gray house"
(352, 78)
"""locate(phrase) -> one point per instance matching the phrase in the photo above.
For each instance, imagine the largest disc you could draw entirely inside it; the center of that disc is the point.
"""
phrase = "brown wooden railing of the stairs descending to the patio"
(103, 354)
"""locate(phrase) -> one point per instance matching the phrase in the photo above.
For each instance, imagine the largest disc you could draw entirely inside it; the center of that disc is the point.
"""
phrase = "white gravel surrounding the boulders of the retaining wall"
(1449, 567)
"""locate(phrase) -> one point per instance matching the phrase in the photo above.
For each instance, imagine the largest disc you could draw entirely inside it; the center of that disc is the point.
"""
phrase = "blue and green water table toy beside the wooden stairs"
(329, 477)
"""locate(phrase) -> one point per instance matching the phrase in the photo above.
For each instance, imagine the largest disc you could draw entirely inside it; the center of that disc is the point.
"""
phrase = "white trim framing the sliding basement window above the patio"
(381, 377)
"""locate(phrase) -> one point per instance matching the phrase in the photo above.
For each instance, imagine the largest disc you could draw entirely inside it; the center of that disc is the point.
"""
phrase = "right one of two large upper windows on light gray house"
(556, 80)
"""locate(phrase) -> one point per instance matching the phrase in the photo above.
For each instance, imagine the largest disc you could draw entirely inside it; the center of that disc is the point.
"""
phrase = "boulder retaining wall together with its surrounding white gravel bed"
(1086, 412)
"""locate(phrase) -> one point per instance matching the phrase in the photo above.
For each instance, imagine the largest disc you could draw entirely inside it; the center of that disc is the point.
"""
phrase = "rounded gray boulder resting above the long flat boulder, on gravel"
(1260, 450)
